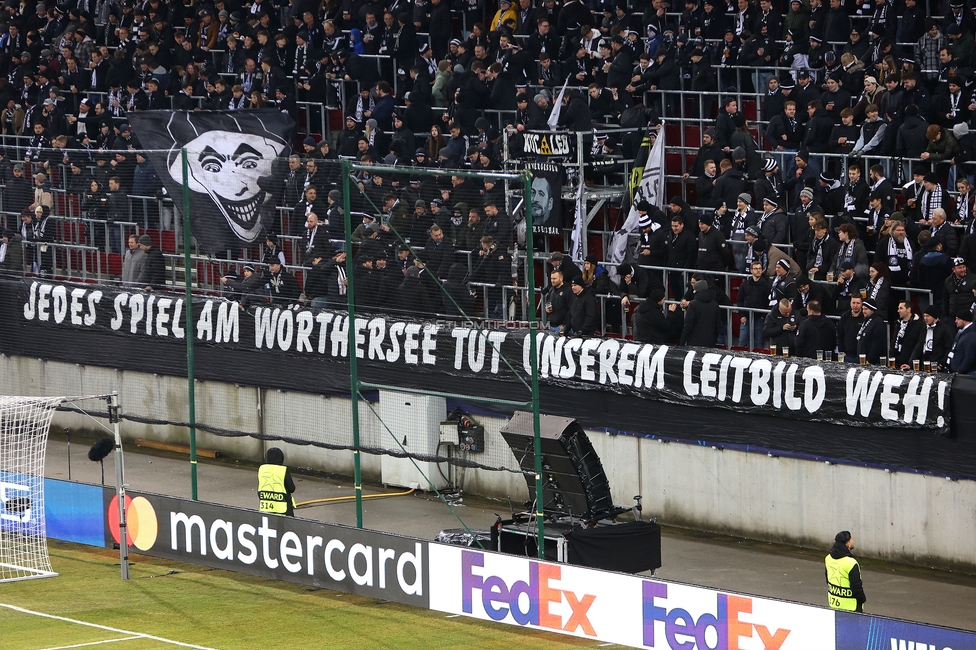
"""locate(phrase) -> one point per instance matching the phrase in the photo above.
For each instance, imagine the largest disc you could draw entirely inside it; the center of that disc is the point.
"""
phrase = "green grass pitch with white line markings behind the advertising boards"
(171, 605)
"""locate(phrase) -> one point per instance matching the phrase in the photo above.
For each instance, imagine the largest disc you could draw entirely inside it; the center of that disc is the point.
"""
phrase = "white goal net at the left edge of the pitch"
(24, 424)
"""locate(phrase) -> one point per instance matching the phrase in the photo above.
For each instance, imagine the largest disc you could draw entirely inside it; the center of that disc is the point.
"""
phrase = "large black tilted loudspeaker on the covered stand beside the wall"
(574, 483)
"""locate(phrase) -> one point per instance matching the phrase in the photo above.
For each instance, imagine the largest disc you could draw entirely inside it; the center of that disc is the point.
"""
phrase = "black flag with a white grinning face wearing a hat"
(231, 159)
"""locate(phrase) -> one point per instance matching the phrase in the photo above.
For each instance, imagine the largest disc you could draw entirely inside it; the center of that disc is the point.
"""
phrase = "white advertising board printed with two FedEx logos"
(617, 608)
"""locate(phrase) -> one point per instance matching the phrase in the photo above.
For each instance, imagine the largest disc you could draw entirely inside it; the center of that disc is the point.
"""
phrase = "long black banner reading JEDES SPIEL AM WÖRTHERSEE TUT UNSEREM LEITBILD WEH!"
(454, 357)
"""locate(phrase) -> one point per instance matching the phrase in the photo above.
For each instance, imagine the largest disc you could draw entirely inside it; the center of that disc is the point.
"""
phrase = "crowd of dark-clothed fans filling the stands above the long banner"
(884, 85)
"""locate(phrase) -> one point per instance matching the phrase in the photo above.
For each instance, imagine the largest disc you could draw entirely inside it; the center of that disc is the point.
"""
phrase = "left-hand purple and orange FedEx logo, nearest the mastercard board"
(536, 601)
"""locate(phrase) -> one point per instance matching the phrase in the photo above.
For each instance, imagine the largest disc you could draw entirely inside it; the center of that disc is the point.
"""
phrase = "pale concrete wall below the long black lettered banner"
(900, 516)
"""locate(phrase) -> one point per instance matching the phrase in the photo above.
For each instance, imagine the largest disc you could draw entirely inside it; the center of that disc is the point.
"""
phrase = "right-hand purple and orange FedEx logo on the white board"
(723, 630)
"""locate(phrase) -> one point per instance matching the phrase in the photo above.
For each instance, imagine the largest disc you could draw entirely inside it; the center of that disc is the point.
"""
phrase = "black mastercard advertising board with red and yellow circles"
(319, 554)
